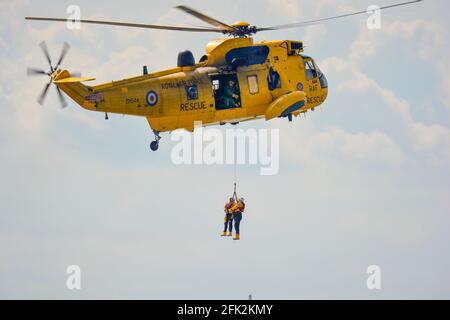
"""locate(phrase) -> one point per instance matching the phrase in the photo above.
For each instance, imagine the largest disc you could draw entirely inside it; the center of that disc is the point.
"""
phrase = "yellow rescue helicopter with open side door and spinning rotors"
(236, 80)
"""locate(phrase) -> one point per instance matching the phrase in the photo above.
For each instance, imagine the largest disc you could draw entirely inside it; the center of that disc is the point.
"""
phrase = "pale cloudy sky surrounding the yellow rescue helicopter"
(364, 180)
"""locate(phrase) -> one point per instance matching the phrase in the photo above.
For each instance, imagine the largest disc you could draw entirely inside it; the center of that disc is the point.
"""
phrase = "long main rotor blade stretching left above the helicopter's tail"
(127, 24)
